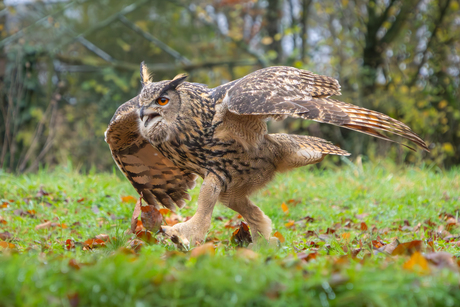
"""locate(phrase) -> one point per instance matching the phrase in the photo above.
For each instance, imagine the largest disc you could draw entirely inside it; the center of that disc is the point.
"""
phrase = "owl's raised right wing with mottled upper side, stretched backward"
(289, 91)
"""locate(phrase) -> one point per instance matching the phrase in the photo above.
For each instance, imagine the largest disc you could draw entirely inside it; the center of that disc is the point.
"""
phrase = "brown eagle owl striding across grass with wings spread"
(174, 131)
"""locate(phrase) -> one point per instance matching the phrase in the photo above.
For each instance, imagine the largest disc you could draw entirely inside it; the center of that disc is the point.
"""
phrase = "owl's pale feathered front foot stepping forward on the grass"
(184, 234)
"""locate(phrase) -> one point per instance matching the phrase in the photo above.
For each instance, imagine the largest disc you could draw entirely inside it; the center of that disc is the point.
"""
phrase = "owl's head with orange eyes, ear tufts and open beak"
(159, 106)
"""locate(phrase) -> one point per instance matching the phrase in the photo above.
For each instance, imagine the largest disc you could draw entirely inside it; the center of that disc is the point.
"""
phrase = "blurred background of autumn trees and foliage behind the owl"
(65, 66)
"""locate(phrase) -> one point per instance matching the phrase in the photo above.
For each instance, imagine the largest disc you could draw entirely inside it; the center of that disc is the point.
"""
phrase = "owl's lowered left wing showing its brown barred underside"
(151, 173)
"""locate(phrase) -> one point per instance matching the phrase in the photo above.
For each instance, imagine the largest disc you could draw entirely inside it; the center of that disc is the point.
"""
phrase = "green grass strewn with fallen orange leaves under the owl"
(36, 272)
